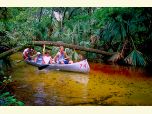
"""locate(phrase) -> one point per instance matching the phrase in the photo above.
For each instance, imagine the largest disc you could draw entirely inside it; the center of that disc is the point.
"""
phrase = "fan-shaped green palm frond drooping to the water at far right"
(135, 58)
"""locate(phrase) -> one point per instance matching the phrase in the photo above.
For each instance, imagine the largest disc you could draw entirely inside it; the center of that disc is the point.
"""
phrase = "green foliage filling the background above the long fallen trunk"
(112, 25)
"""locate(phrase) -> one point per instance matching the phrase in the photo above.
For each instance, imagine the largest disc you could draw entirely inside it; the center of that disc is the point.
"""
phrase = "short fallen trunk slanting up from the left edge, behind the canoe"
(11, 51)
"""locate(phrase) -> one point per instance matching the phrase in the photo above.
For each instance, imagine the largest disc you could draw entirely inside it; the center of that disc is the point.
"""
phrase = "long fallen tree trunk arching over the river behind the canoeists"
(72, 46)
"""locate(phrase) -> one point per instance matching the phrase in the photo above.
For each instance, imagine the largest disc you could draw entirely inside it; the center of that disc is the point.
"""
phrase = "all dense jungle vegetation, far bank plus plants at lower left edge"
(126, 31)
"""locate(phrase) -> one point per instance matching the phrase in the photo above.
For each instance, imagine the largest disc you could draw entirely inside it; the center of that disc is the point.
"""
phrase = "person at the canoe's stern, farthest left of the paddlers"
(28, 52)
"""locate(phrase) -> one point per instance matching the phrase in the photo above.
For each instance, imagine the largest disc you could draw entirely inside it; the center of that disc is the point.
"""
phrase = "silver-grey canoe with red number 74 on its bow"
(81, 66)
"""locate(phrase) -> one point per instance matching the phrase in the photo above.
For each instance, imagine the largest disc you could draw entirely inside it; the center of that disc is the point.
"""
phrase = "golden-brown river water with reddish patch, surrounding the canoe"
(104, 85)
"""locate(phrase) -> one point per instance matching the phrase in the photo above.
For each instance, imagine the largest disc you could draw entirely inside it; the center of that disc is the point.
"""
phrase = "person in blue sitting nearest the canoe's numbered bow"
(61, 57)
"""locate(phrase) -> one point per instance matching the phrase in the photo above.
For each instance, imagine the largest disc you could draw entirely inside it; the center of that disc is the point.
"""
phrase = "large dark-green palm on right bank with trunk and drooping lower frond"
(119, 25)
